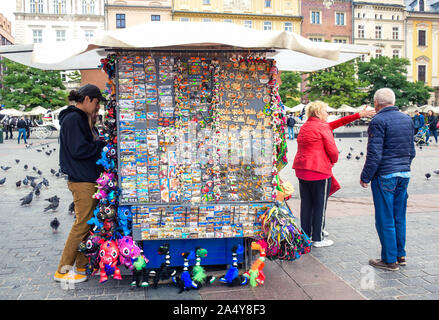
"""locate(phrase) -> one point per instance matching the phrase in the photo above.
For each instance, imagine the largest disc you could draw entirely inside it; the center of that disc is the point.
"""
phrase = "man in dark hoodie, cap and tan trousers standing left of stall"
(79, 151)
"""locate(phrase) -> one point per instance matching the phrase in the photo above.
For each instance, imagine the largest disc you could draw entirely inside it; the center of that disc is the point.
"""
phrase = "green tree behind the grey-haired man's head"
(385, 72)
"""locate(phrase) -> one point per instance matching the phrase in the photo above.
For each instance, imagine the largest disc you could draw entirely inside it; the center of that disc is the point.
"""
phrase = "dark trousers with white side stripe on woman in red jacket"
(313, 199)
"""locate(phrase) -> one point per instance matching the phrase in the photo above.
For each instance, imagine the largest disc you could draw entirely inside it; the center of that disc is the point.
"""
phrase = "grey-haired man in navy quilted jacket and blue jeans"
(390, 151)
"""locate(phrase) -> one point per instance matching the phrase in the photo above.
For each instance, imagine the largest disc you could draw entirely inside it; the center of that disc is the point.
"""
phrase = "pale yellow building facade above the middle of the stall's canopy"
(277, 15)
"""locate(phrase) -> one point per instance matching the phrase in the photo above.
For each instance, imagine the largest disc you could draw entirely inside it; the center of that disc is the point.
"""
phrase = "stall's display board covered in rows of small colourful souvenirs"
(195, 144)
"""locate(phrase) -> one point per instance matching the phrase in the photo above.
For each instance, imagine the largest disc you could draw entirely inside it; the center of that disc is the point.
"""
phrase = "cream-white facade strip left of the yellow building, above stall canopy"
(123, 14)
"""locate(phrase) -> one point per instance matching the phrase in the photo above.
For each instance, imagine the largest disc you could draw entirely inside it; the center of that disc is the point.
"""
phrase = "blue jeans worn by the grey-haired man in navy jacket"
(390, 201)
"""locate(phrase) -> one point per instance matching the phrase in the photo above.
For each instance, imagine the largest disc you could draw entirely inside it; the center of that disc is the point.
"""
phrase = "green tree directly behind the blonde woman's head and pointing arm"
(337, 85)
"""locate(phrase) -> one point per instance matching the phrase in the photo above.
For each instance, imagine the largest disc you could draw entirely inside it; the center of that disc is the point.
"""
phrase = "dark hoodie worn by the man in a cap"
(78, 151)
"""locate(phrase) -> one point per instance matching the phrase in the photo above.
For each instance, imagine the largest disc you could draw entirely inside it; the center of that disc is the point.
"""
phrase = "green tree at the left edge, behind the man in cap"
(31, 87)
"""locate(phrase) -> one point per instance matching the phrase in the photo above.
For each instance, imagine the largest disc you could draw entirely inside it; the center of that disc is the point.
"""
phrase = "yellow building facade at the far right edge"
(422, 43)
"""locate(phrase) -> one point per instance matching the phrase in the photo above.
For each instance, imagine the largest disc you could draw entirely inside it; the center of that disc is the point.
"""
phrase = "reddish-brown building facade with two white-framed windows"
(329, 21)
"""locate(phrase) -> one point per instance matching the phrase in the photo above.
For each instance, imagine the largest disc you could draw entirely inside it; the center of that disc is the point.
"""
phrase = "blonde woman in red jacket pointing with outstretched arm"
(316, 155)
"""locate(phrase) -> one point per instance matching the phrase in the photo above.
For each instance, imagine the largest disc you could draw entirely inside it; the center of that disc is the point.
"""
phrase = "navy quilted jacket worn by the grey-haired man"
(390, 147)
